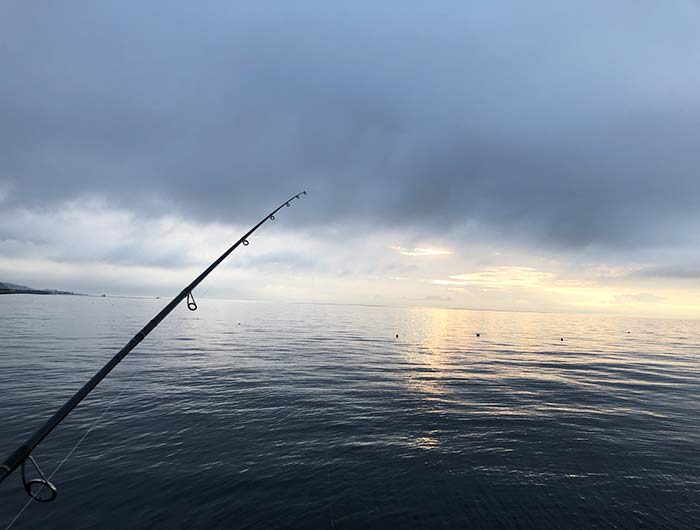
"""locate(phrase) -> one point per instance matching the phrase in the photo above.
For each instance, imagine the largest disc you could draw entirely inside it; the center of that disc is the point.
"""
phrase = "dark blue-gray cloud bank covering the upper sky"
(575, 125)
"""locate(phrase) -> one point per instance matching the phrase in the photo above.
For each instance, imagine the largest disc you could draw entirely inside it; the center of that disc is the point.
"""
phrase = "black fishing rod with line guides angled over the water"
(34, 486)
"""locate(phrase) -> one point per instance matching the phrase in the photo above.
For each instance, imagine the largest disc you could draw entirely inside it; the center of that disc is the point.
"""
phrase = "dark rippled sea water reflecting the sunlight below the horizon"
(310, 416)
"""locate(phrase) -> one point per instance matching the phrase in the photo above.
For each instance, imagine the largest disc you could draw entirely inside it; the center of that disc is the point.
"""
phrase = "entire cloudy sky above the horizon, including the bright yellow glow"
(507, 155)
